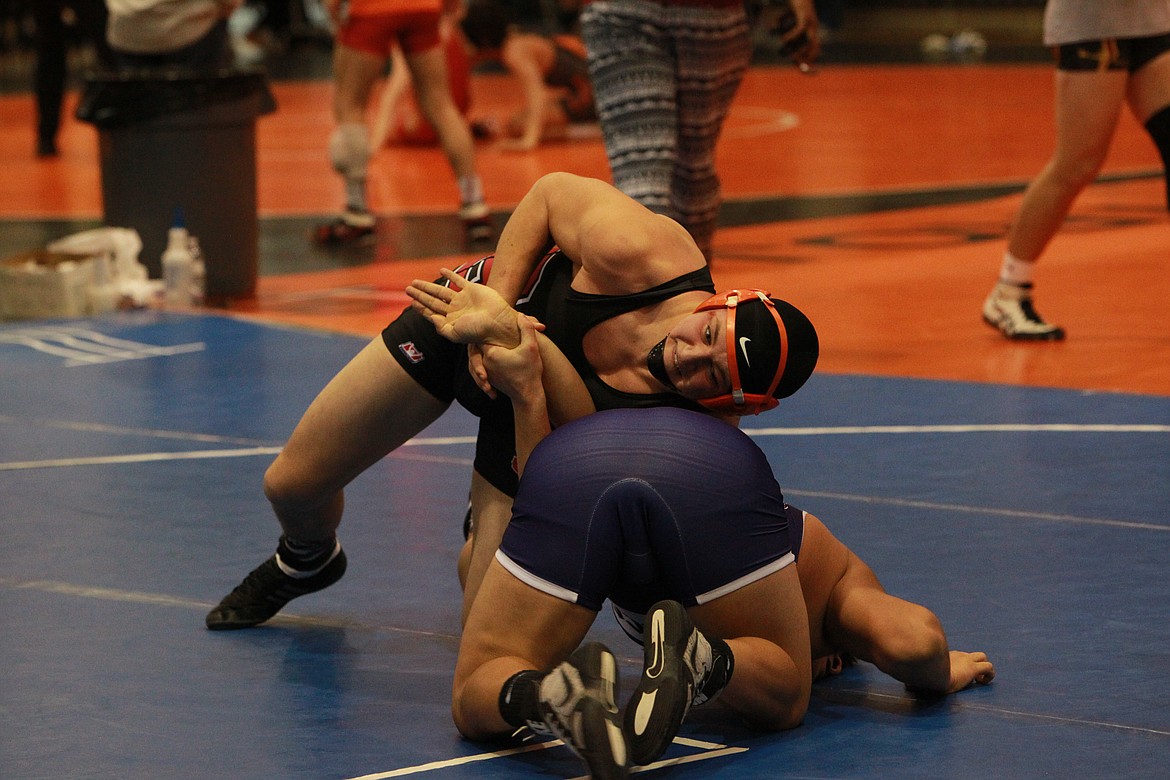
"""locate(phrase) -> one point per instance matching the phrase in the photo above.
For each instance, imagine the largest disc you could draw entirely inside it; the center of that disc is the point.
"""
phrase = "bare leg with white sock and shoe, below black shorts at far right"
(1088, 108)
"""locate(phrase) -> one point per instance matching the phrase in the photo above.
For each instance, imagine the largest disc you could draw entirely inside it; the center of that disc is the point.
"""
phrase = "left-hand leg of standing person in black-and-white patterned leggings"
(636, 89)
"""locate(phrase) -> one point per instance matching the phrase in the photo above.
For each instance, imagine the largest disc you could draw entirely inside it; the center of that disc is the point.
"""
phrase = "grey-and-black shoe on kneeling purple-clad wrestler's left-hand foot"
(577, 703)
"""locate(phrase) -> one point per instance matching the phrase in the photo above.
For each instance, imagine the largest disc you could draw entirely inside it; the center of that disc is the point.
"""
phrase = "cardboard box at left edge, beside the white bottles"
(39, 285)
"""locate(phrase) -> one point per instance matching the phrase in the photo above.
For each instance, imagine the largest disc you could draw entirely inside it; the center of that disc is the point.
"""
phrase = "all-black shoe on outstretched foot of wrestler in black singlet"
(267, 590)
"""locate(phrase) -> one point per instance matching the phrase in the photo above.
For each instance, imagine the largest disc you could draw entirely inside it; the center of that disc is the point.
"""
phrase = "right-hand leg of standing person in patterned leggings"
(714, 51)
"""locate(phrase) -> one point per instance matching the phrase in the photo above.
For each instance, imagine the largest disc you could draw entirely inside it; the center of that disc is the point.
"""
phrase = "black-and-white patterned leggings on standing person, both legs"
(664, 80)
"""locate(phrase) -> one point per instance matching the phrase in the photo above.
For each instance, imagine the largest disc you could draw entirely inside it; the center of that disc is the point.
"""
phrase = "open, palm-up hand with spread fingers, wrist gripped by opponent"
(466, 313)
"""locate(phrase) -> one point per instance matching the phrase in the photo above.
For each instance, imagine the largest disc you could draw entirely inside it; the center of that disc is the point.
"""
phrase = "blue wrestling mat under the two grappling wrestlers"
(1034, 522)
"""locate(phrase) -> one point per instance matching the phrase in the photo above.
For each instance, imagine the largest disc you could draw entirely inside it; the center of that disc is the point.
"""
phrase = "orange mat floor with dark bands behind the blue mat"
(876, 197)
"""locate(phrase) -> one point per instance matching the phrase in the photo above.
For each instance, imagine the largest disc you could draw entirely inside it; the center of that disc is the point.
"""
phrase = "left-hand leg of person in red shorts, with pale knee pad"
(355, 74)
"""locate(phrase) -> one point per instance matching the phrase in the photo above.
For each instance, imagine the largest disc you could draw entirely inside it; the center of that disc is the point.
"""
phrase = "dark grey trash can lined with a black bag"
(184, 141)
